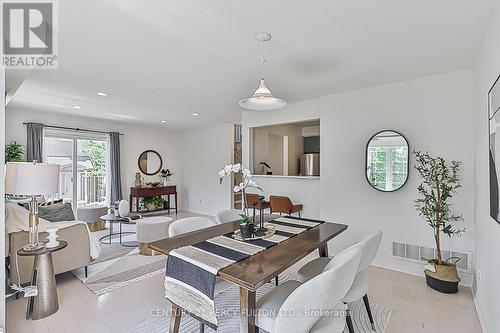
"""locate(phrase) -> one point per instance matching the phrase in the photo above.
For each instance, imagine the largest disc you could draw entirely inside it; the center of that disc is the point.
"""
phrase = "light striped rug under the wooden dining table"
(229, 300)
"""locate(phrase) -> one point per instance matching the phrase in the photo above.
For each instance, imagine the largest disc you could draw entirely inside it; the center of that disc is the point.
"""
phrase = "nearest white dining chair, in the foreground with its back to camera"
(314, 306)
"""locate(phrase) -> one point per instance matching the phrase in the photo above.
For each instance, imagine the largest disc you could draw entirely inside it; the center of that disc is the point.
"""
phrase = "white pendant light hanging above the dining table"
(262, 99)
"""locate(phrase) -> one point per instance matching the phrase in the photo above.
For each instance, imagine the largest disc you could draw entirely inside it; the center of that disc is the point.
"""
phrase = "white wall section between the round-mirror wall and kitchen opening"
(205, 151)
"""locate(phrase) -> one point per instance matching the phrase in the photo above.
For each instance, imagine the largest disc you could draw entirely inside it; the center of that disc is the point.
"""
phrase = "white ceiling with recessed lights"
(165, 60)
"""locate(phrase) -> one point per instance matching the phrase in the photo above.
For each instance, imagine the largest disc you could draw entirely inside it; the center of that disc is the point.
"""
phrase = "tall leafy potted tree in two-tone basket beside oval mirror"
(440, 182)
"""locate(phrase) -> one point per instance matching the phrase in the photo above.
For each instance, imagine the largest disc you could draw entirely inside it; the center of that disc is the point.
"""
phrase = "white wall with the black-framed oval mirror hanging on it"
(435, 114)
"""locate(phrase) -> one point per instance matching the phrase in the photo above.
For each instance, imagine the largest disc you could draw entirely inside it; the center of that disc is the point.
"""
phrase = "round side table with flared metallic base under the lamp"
(45, 303)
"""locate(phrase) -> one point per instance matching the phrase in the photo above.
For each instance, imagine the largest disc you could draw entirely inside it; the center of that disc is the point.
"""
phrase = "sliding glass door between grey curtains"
(84, 165)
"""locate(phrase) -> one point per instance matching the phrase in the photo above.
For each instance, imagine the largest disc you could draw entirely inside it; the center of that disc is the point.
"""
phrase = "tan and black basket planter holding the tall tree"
(445, 278)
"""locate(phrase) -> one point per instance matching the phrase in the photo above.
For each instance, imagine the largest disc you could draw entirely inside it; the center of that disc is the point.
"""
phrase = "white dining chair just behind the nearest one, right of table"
(359, 289)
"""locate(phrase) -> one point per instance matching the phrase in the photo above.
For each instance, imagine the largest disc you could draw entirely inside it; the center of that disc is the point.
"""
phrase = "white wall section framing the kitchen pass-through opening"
(304, 191)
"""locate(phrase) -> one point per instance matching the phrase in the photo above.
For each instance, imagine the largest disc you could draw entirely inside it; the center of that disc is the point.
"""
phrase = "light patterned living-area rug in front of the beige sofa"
(116, 273)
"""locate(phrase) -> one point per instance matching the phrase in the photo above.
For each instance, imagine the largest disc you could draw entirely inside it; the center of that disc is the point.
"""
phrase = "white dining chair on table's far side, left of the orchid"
(189, 224)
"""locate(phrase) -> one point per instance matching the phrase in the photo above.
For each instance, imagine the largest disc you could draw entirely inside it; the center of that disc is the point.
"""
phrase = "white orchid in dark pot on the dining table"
(246, 224)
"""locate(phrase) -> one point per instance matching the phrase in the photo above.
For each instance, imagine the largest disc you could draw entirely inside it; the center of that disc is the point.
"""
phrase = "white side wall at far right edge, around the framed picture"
(487, 236)
